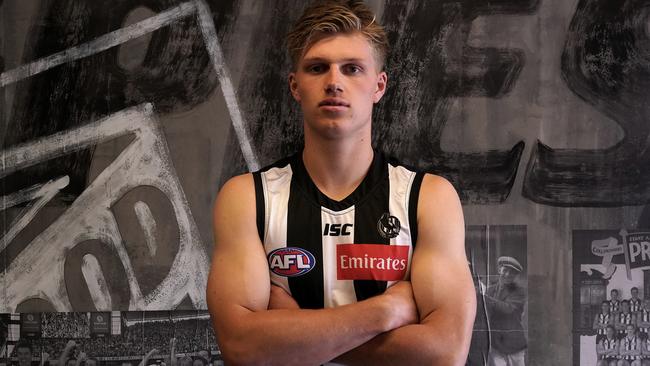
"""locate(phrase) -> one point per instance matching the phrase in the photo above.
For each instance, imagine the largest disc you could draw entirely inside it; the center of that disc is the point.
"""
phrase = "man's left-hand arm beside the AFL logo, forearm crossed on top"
(238, 299)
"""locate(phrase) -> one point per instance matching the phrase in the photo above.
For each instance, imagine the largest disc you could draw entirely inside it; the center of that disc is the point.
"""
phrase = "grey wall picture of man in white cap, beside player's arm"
(498, 260)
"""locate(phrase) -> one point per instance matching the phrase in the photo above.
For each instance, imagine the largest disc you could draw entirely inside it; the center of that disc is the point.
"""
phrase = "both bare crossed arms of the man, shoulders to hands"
(425, 321)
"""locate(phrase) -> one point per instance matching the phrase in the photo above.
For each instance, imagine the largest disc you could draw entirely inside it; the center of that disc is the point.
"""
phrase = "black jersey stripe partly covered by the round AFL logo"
(308, 289)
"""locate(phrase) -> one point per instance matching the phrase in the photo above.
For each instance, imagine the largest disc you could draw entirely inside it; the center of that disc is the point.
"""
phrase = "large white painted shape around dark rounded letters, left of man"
(38, 270)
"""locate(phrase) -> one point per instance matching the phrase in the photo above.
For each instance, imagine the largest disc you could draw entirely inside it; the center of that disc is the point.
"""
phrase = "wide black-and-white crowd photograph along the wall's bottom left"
(183, 338)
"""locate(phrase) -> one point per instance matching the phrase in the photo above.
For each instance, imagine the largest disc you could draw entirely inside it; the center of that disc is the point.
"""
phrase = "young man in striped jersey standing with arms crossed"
(334, 228)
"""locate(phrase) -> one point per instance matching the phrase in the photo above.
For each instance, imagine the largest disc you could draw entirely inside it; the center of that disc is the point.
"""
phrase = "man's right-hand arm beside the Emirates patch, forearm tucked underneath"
(442, 287)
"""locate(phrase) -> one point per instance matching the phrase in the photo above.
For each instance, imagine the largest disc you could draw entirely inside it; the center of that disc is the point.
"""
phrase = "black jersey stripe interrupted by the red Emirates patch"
(366, 215)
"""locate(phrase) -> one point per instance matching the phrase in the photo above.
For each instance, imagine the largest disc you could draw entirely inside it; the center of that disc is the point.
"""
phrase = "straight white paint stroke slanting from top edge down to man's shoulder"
(216, 56)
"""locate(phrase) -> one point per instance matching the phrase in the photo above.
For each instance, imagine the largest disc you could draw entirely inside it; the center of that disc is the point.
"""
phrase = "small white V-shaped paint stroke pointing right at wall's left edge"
(44, 193)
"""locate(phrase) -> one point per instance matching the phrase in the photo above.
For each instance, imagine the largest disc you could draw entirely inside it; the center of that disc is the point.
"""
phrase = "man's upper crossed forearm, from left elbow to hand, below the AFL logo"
(296, 336)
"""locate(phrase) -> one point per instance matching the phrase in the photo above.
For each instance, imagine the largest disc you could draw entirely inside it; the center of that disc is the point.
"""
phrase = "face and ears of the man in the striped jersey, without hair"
(336, 82)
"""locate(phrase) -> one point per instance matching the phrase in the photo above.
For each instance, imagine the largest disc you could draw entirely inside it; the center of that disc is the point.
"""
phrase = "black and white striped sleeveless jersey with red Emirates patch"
(327, 253)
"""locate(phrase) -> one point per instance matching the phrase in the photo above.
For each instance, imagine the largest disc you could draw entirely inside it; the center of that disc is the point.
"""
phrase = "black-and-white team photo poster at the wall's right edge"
(611, 297)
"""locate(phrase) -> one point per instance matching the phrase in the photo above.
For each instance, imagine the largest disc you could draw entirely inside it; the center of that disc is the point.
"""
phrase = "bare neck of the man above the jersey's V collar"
(337, 167)
